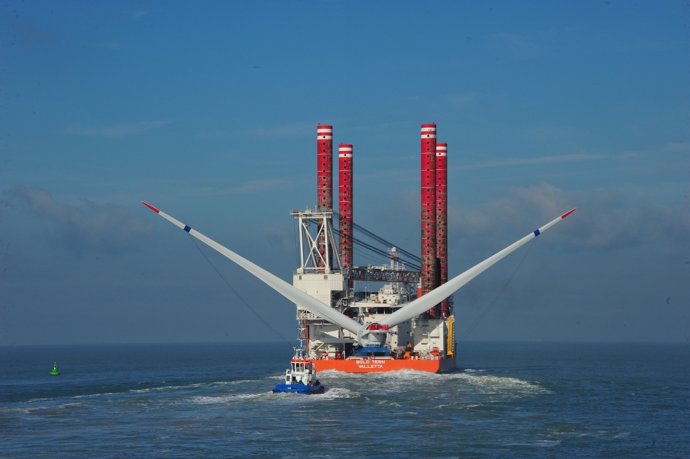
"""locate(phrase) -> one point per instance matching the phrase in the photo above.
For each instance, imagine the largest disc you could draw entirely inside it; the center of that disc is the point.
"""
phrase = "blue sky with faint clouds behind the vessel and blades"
(209, 112)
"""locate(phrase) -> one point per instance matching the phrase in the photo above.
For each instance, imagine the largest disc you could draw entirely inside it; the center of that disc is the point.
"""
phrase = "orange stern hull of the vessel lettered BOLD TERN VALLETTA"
(382, 365)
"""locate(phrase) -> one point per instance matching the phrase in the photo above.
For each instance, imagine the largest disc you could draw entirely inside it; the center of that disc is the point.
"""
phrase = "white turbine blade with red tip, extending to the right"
(442, 292)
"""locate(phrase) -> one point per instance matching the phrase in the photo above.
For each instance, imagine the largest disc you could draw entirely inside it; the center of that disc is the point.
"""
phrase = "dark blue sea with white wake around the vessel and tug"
(215, 400)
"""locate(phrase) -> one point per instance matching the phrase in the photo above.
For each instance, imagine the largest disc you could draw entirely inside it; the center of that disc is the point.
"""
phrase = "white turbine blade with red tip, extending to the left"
(290, 292)
